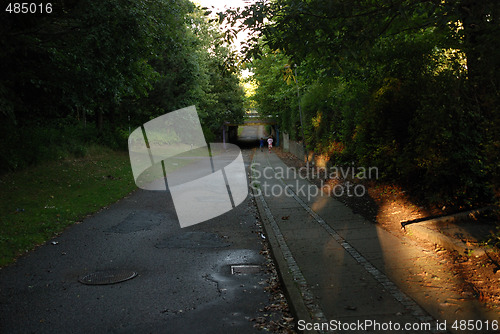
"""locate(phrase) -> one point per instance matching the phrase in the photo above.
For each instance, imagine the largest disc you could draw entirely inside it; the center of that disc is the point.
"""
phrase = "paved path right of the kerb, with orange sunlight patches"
(345, 274)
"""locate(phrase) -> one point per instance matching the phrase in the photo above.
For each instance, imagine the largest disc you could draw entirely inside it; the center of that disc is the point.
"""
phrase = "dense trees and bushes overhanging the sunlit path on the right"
(408, 86)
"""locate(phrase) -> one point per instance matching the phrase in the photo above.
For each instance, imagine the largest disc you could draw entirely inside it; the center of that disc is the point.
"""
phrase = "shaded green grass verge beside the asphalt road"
(39, 202)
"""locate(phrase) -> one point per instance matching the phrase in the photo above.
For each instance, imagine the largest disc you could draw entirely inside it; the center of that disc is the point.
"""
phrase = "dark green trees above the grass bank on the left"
(91, 70)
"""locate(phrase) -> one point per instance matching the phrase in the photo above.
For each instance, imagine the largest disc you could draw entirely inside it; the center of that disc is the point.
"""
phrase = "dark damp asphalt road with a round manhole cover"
(184, 281)
